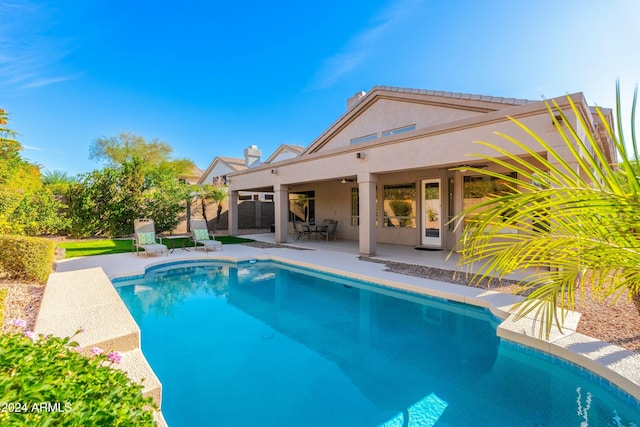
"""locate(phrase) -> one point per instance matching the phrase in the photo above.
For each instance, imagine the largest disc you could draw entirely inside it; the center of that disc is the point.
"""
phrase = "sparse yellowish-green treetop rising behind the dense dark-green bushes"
(126, 147)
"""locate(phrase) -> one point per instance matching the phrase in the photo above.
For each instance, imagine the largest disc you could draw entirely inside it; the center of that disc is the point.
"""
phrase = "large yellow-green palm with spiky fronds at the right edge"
(574, 230)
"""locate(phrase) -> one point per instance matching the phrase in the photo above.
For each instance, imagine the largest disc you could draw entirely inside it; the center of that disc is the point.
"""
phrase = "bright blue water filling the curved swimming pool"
(265, 345)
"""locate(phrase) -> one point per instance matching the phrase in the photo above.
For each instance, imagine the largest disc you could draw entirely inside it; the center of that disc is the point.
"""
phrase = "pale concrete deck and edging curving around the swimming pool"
(79, 294)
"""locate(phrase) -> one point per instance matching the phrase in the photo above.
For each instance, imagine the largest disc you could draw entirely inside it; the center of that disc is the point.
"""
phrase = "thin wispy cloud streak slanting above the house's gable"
(359, 48)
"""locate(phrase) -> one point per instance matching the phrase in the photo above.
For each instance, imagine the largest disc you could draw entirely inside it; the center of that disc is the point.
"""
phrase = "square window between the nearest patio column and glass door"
(400, 205)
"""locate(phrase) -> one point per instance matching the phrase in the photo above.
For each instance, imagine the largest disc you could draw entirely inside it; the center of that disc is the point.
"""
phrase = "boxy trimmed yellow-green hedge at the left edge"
(28, 258)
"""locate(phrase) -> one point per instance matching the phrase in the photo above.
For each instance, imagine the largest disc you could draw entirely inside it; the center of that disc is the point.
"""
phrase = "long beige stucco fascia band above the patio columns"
(432, 147)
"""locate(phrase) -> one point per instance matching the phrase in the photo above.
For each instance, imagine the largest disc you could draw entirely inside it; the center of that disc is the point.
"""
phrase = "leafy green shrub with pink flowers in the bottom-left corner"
(46, 381)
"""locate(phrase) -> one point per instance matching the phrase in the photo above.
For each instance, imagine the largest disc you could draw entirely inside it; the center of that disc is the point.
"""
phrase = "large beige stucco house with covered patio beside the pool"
(383, 168)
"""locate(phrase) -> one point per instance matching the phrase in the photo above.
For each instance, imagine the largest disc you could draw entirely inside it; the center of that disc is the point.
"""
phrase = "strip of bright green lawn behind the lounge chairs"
(108, 246)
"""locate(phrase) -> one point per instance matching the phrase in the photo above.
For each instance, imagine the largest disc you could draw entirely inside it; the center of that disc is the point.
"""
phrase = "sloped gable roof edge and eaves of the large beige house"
(463, 103)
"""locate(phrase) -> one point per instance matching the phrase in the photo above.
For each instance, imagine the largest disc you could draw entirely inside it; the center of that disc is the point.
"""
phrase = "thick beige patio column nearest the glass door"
(367, 229)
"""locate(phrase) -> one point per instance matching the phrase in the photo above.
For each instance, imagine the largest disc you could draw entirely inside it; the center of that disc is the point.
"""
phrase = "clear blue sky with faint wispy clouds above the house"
(211, 78)
